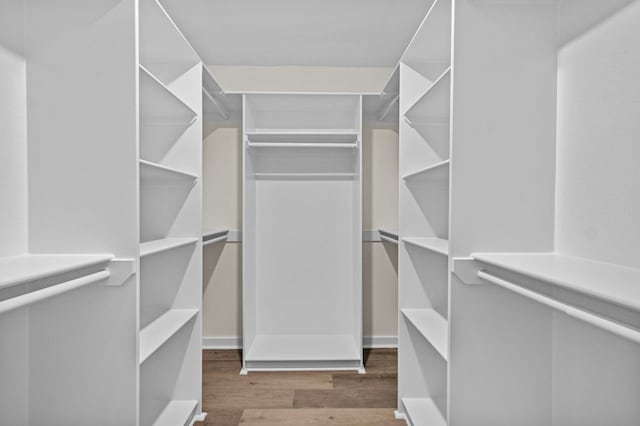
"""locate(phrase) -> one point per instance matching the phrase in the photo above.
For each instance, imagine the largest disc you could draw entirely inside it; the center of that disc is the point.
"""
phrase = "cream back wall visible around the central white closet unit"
(222, 201)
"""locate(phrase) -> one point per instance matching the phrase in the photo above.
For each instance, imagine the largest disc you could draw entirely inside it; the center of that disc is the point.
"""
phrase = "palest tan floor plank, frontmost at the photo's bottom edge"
(321, 416)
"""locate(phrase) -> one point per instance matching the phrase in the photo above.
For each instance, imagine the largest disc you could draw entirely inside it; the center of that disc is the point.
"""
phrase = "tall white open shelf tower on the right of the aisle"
(425, 162)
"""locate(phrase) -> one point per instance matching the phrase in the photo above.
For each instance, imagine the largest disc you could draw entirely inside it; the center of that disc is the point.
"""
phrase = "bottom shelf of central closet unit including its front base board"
(303, 351)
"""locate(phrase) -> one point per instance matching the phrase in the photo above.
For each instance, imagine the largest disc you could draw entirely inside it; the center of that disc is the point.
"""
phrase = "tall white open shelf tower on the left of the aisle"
(171, 104)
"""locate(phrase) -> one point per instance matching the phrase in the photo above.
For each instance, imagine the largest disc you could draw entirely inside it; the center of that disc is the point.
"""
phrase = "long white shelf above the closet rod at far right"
(605, 281)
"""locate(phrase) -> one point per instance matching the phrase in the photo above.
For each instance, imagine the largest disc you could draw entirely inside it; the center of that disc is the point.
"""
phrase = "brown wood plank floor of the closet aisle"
(299, 398)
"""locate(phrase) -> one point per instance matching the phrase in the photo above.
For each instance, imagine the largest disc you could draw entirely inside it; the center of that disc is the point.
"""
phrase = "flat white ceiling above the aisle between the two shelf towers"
(344, 33)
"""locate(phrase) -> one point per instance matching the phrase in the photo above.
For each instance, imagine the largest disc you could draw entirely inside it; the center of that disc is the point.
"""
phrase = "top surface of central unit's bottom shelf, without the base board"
(306, 347)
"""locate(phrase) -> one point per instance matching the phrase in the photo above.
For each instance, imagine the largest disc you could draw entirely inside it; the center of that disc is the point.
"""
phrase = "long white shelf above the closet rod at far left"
(26, 268)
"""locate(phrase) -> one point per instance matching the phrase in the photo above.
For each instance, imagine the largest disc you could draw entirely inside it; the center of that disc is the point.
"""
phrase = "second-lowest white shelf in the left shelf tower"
(156, 334)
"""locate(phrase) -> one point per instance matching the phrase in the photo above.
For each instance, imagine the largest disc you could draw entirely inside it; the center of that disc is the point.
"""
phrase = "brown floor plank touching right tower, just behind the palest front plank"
(345, 398)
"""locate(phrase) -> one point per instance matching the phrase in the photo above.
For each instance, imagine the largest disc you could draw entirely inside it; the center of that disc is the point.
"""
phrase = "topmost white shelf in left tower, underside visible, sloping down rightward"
(159, 105)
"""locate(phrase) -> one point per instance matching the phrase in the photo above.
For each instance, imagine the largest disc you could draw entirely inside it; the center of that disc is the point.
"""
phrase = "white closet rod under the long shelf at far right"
(597, 321)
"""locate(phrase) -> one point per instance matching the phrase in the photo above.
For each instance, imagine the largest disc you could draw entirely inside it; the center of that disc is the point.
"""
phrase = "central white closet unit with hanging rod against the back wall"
(302, 285)
